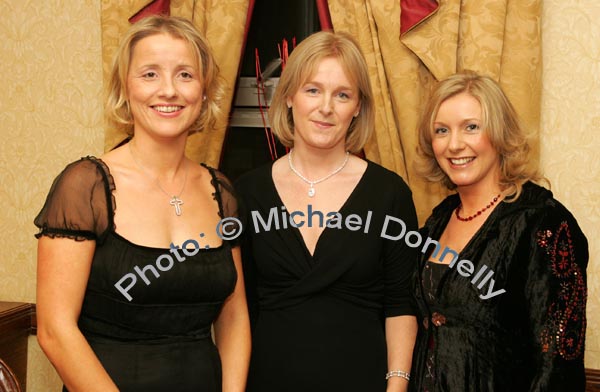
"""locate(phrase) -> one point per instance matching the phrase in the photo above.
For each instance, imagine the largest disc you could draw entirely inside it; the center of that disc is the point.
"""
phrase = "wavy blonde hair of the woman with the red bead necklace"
(499, 121)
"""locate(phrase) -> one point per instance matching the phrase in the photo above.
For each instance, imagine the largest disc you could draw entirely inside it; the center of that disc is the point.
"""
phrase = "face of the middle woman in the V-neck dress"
(323, 107)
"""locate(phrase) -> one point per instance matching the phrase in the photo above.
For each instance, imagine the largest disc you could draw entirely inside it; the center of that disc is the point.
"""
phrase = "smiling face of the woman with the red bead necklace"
(462, 149)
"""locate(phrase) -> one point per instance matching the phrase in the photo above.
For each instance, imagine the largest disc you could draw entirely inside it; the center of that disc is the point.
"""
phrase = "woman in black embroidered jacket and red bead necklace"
(501, 287)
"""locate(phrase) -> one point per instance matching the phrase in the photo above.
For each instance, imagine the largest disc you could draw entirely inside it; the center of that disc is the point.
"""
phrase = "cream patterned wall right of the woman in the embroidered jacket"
(570, 138)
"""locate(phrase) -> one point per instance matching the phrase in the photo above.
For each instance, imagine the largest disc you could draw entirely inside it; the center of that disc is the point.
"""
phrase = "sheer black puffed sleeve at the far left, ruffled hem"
(80, 203)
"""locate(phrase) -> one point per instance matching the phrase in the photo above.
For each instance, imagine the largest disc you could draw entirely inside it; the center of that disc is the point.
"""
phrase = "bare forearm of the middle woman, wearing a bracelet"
(401, 332)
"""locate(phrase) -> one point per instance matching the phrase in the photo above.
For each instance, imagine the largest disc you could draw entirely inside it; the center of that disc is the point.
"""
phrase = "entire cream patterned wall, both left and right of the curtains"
(50, 114)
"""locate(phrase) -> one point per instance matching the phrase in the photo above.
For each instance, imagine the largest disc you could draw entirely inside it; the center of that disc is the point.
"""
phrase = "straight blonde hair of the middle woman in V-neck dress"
(302, 64)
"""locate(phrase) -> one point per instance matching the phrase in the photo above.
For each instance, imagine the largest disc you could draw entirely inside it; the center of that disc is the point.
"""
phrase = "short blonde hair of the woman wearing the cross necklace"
(117, 108)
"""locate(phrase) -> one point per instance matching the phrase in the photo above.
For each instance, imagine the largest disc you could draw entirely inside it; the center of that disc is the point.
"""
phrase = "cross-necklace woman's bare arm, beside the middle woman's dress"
(232, 334)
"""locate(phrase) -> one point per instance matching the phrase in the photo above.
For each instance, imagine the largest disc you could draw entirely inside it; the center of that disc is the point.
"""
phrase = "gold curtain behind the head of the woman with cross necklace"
(221, 21)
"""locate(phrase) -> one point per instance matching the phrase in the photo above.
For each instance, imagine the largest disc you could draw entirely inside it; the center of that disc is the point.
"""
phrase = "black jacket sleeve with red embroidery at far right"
(556, 293)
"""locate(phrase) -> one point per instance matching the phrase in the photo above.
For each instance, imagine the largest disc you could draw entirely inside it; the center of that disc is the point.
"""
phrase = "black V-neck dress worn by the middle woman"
(318, 321)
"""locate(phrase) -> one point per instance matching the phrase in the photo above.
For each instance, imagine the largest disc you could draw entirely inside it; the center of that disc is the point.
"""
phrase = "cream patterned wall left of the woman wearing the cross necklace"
(50, 114)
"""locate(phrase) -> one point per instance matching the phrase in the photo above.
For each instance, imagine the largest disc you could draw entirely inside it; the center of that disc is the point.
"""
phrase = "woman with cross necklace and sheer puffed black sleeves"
(106, 216)
